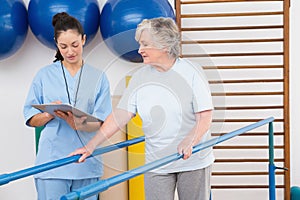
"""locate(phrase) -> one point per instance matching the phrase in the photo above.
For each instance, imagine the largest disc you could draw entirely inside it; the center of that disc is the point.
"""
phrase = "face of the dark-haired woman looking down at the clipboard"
(70, 44)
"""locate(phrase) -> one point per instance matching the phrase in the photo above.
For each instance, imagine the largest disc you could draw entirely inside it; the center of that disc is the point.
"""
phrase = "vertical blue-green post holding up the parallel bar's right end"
(272, 167)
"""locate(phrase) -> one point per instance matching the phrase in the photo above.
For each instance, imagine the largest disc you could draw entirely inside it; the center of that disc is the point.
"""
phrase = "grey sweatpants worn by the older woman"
(191, 185)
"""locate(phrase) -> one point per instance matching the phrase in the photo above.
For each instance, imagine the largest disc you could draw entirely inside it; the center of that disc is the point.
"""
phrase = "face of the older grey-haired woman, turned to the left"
(150, 53)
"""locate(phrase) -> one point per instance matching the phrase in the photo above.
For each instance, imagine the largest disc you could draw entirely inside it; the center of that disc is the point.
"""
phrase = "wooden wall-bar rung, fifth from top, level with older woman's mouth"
(233, 54)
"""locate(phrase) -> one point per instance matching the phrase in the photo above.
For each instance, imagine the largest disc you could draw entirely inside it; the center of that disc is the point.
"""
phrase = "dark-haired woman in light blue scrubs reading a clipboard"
(67, 80)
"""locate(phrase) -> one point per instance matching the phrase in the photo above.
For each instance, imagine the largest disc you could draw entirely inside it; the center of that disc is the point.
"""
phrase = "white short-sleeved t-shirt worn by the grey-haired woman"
(167, 103)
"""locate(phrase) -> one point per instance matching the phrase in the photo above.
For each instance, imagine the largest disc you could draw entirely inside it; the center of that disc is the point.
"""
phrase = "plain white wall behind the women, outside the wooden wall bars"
(17, 145)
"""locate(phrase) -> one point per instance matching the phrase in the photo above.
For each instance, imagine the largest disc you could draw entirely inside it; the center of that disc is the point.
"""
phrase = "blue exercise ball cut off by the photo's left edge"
(13, 26)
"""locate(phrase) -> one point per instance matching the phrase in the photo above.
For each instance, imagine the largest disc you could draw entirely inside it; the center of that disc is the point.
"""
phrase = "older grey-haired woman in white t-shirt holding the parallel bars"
(173, 99)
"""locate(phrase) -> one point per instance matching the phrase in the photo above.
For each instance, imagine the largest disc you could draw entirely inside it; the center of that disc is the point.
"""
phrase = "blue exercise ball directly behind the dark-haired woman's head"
(40, 13)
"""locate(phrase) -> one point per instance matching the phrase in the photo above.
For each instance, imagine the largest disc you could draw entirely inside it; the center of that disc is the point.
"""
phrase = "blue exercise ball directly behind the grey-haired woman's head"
(119, 19)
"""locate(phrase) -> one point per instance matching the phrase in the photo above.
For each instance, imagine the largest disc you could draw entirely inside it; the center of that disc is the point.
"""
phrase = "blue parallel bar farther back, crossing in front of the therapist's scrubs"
(6, 178)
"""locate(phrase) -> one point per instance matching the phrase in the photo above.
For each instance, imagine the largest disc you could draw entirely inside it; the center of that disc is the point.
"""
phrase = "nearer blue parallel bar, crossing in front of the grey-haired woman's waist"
(103, 185)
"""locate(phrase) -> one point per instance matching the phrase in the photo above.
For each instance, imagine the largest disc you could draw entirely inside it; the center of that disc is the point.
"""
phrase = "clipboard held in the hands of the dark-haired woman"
(51, 108)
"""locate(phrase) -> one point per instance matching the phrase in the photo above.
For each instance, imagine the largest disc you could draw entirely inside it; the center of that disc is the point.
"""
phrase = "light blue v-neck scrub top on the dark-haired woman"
(57, 139)
